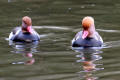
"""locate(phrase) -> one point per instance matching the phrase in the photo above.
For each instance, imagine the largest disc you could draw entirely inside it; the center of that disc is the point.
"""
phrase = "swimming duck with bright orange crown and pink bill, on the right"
(88, 37)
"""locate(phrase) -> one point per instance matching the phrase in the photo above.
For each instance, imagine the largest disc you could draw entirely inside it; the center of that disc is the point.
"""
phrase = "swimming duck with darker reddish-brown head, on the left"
(24, 33)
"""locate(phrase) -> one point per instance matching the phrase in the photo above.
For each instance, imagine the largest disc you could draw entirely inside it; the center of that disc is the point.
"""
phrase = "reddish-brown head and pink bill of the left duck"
(26, 24)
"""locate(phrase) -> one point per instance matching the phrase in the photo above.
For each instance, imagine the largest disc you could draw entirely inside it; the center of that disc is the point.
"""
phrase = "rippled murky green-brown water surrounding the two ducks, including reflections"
(57, 21)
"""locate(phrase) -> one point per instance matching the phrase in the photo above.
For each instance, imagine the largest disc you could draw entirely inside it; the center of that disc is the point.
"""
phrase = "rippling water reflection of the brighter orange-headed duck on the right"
(88, 56)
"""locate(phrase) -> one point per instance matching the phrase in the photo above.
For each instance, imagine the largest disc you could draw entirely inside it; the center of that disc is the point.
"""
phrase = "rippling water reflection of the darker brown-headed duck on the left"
(27, 50)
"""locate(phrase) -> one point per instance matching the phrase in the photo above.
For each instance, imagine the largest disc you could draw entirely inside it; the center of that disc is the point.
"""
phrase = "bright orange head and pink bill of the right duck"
(87, 22)
